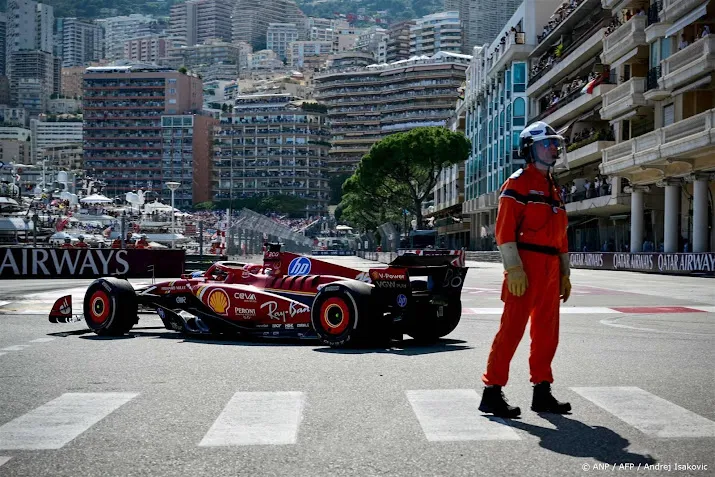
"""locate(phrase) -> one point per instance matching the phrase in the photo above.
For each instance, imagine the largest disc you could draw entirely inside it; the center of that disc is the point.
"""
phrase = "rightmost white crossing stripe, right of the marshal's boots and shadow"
(650, 414)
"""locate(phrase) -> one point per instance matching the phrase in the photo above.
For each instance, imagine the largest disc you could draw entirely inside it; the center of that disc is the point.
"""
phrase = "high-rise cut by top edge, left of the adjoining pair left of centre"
(197, 21)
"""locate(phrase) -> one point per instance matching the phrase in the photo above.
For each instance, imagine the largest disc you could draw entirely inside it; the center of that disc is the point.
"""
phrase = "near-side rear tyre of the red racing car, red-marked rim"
(335, 317)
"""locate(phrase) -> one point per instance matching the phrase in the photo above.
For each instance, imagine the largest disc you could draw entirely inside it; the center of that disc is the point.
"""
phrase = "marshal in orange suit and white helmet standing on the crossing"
(531, 236)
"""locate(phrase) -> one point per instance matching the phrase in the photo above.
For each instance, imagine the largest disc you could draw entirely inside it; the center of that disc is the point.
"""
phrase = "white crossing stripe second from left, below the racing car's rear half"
(257, 418)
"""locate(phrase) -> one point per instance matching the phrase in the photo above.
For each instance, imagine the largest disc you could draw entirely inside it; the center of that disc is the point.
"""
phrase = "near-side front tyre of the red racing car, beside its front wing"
(110, 307)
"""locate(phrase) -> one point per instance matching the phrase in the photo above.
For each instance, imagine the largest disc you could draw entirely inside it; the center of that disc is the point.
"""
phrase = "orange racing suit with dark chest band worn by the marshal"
(532, 214)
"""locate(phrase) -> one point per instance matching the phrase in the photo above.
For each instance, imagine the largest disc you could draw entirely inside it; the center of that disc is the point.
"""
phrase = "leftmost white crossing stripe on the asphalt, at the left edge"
(61, 420)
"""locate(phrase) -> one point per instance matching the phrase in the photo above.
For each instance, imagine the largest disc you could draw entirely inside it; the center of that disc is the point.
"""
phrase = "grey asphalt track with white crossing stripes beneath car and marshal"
(636, 360)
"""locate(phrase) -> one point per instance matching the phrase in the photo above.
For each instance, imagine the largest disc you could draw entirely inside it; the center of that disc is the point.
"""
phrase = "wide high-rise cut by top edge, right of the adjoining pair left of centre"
(252, 17)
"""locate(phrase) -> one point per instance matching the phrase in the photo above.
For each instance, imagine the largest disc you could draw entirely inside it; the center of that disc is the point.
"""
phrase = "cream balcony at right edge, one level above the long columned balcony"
(689, 64)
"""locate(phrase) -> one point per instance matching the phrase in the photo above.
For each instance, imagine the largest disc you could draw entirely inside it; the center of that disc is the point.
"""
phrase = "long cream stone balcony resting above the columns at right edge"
(690, 139)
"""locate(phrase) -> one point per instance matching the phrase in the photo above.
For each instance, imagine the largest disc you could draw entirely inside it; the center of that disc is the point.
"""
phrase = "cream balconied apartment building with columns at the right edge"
(662, 113)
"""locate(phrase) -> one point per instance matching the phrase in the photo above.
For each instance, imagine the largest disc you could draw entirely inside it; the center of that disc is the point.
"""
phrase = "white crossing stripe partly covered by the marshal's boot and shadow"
(453, 415)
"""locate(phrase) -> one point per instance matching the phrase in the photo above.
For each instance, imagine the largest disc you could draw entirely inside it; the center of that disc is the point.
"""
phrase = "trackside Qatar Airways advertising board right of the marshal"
(663, 263)
